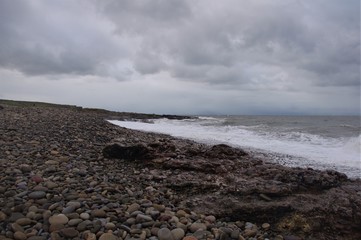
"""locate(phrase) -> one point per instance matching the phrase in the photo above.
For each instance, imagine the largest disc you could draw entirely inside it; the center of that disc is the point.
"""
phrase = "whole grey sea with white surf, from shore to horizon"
(318, 142)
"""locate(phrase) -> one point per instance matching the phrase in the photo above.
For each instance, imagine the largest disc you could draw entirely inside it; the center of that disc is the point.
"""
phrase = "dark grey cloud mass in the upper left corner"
(56, 37)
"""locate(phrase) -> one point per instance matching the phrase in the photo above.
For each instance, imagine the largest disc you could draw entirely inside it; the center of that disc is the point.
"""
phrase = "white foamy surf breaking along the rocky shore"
(342, 154)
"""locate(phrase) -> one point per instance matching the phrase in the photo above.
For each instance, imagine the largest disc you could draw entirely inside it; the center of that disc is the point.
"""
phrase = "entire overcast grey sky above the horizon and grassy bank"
(184, 57)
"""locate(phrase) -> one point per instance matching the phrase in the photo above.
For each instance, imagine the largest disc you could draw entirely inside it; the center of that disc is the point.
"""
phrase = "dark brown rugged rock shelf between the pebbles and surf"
(231, 184)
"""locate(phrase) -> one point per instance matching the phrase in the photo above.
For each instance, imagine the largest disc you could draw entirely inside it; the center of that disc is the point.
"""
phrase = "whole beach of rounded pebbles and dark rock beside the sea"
(66, 173)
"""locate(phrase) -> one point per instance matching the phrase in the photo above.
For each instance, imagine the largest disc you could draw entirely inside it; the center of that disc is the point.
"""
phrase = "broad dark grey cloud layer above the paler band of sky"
(209, 41)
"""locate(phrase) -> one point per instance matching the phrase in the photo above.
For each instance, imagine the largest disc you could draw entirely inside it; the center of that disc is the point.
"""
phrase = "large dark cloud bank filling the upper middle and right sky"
(218, 42)
